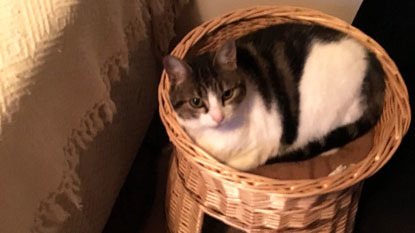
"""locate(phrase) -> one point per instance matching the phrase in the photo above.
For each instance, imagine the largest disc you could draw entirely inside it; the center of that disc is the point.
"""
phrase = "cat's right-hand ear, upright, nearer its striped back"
(225, 57)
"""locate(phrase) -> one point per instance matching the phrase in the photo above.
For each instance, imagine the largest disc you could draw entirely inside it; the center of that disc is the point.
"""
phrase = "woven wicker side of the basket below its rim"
(252, 211)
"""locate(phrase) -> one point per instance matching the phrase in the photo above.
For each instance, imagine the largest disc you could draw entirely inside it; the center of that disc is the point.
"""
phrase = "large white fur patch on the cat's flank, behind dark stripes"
(329, 88)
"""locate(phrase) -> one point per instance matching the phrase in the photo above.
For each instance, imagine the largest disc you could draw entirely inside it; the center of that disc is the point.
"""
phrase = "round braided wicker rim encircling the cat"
(328, 183)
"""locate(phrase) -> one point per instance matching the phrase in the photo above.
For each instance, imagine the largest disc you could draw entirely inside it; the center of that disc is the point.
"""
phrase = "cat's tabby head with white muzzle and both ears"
(207, 90)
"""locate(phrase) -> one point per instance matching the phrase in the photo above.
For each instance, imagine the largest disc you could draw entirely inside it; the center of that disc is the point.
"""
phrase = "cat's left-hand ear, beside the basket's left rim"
(177, 69)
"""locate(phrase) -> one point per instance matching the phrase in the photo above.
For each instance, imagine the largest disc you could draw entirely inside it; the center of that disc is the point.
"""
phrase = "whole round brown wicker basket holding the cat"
(199, 185)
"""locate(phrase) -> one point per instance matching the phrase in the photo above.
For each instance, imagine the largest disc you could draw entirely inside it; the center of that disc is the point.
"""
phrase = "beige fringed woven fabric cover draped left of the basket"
(78, 86)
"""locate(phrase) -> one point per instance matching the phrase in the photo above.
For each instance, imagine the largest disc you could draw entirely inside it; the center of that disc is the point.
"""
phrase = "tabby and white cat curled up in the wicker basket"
(284, 93)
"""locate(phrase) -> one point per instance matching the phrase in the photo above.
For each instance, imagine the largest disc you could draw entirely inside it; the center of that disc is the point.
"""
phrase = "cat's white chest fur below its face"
(255, 139)
